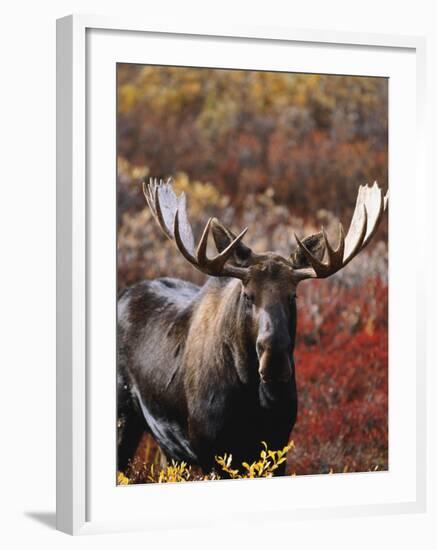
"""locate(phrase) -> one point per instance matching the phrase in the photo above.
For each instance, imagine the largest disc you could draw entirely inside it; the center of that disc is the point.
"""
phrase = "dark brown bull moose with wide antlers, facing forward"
(209, 369)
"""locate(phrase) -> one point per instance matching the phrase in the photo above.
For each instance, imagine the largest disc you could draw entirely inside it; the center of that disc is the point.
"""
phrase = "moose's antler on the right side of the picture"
(368, 212)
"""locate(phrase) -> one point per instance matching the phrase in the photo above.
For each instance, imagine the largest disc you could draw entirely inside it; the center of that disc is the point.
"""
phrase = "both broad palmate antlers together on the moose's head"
(170, 211)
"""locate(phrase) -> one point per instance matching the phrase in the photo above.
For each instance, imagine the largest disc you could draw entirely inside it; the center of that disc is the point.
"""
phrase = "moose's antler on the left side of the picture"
(170, 212)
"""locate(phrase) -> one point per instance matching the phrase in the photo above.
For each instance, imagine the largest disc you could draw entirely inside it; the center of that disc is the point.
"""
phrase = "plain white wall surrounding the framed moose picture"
(27, 307)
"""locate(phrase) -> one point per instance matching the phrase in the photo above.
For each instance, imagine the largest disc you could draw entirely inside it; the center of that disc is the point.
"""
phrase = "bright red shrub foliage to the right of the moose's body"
(342, 375)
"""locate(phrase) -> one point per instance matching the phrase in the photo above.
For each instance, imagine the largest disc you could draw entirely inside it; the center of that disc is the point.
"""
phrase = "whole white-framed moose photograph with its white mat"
(238, 335)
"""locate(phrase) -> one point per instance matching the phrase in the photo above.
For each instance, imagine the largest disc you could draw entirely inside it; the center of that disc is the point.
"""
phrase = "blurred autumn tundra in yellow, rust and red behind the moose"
(278, 153)
